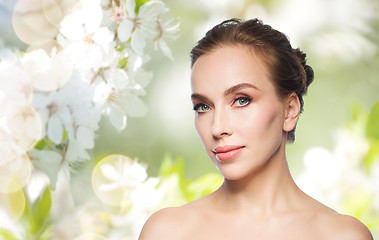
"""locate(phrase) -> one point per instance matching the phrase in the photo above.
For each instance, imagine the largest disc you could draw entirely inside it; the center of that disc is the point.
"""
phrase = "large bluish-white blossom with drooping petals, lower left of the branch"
(70, 110)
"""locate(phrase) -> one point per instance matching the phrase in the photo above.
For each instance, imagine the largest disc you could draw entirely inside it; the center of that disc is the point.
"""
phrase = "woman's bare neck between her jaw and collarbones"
(269, 189)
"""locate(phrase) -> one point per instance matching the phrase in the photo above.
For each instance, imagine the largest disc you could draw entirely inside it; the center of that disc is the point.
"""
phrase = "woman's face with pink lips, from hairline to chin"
(239, 116)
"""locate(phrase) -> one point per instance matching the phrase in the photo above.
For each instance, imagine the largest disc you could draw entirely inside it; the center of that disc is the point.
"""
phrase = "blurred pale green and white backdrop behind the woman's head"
(341, 39)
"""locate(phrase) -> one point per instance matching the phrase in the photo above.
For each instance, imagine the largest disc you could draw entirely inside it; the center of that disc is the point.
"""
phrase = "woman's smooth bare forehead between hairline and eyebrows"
(226, 66)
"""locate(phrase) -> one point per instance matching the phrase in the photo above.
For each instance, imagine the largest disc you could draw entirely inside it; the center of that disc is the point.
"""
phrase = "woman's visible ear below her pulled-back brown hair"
(292, 111)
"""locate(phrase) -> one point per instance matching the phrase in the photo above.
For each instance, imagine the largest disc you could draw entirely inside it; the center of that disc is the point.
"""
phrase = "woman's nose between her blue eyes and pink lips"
(221, 125)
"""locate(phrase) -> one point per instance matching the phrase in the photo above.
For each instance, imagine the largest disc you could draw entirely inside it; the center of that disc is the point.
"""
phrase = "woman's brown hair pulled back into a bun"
(287, 66)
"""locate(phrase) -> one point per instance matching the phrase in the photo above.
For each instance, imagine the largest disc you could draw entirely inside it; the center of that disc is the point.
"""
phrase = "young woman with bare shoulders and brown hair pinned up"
(248, 85)
